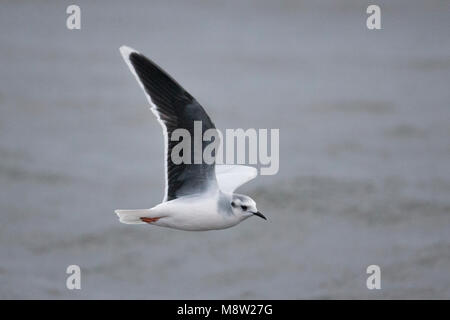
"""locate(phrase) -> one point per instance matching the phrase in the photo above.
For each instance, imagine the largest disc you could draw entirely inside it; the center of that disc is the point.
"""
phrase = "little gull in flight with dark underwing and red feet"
(197, 196)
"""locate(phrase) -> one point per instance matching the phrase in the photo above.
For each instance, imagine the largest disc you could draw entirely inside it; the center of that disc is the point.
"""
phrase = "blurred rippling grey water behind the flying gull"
(364, 119)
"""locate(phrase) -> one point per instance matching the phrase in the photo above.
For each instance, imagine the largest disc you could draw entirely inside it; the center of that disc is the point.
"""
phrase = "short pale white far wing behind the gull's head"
(230, 177)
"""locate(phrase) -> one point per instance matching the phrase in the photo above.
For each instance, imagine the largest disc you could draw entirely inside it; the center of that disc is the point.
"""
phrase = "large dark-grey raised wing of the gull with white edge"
(175, 108)
